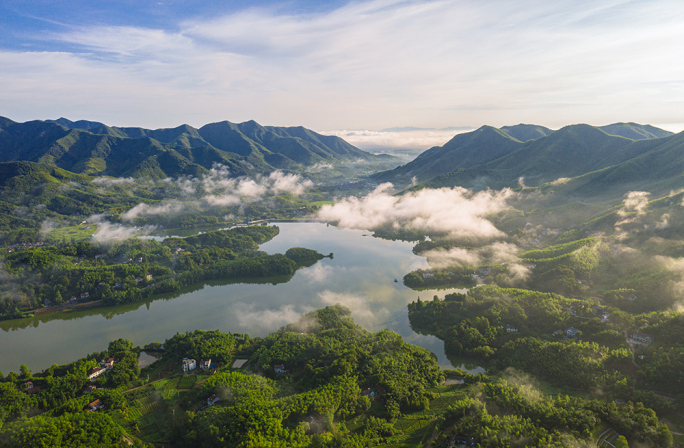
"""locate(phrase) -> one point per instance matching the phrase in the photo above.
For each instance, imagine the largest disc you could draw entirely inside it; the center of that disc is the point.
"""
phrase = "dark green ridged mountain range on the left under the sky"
(248, 148)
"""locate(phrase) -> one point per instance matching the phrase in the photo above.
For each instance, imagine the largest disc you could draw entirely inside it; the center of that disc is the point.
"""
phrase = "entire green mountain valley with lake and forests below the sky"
(538, 271)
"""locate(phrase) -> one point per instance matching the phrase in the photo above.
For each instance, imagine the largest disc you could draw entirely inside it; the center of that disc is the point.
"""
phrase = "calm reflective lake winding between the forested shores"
(360, 276)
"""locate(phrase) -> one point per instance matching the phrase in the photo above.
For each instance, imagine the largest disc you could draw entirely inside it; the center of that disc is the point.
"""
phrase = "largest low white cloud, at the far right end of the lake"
(456, 212)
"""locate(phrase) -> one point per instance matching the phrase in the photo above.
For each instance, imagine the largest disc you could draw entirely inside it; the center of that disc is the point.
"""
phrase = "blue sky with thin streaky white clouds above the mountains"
(332, 66)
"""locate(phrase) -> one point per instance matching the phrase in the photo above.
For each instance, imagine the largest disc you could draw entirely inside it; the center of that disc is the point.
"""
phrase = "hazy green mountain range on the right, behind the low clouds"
(497, 158)
